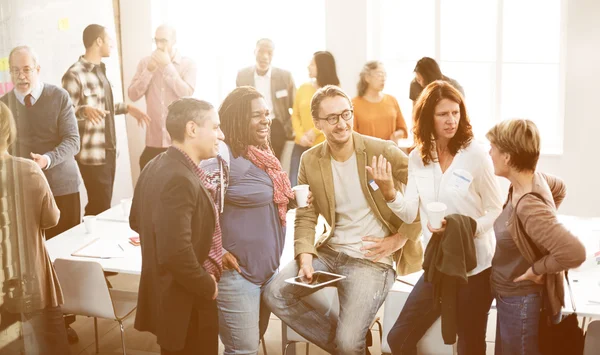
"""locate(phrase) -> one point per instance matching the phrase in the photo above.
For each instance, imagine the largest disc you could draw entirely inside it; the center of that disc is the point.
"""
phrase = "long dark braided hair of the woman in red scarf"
(235, 114)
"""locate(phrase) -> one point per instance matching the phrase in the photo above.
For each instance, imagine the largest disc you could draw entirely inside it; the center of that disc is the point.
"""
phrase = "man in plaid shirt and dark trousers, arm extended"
(93, 102)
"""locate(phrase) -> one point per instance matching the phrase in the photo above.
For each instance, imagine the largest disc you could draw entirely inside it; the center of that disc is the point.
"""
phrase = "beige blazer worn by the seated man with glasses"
(315, 171)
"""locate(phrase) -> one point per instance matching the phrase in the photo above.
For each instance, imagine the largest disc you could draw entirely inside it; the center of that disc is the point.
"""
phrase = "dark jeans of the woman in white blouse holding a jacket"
(419, 314)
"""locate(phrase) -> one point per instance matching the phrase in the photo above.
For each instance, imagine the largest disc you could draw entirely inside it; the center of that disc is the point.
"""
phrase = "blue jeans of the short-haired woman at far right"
(518, 324)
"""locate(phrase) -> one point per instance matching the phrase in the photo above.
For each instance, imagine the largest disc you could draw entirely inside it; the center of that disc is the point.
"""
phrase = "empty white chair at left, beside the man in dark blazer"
(86, 293)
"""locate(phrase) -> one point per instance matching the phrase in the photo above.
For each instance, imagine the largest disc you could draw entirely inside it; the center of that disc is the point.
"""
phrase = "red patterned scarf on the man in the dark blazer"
(214, 263)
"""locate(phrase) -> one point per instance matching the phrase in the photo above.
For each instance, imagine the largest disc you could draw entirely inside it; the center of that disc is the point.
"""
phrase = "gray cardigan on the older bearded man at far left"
(49, 127)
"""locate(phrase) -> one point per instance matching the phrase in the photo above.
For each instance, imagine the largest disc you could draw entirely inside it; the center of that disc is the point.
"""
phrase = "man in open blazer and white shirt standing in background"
(277, 87)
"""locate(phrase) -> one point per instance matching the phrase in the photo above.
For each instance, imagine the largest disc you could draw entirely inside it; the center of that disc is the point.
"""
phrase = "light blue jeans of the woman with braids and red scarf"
(243, 316)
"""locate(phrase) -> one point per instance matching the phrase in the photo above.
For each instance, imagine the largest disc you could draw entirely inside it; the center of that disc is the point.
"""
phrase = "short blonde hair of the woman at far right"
(520, 139)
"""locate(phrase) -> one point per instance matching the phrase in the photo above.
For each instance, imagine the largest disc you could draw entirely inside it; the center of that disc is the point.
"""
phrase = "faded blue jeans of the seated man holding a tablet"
(360, 294)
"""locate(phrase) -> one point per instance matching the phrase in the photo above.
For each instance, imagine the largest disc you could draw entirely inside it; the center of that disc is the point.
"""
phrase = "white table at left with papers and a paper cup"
(110, 225)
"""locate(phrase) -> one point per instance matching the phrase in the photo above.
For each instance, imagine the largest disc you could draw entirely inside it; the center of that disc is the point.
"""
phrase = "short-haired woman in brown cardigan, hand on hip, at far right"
(533, 248)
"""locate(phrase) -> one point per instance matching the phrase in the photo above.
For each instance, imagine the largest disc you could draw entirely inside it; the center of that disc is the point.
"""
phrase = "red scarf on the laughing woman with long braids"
(282, 190)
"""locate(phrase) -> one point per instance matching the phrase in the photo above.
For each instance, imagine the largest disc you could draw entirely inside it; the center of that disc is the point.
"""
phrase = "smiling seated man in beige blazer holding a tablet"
(365, 236)
